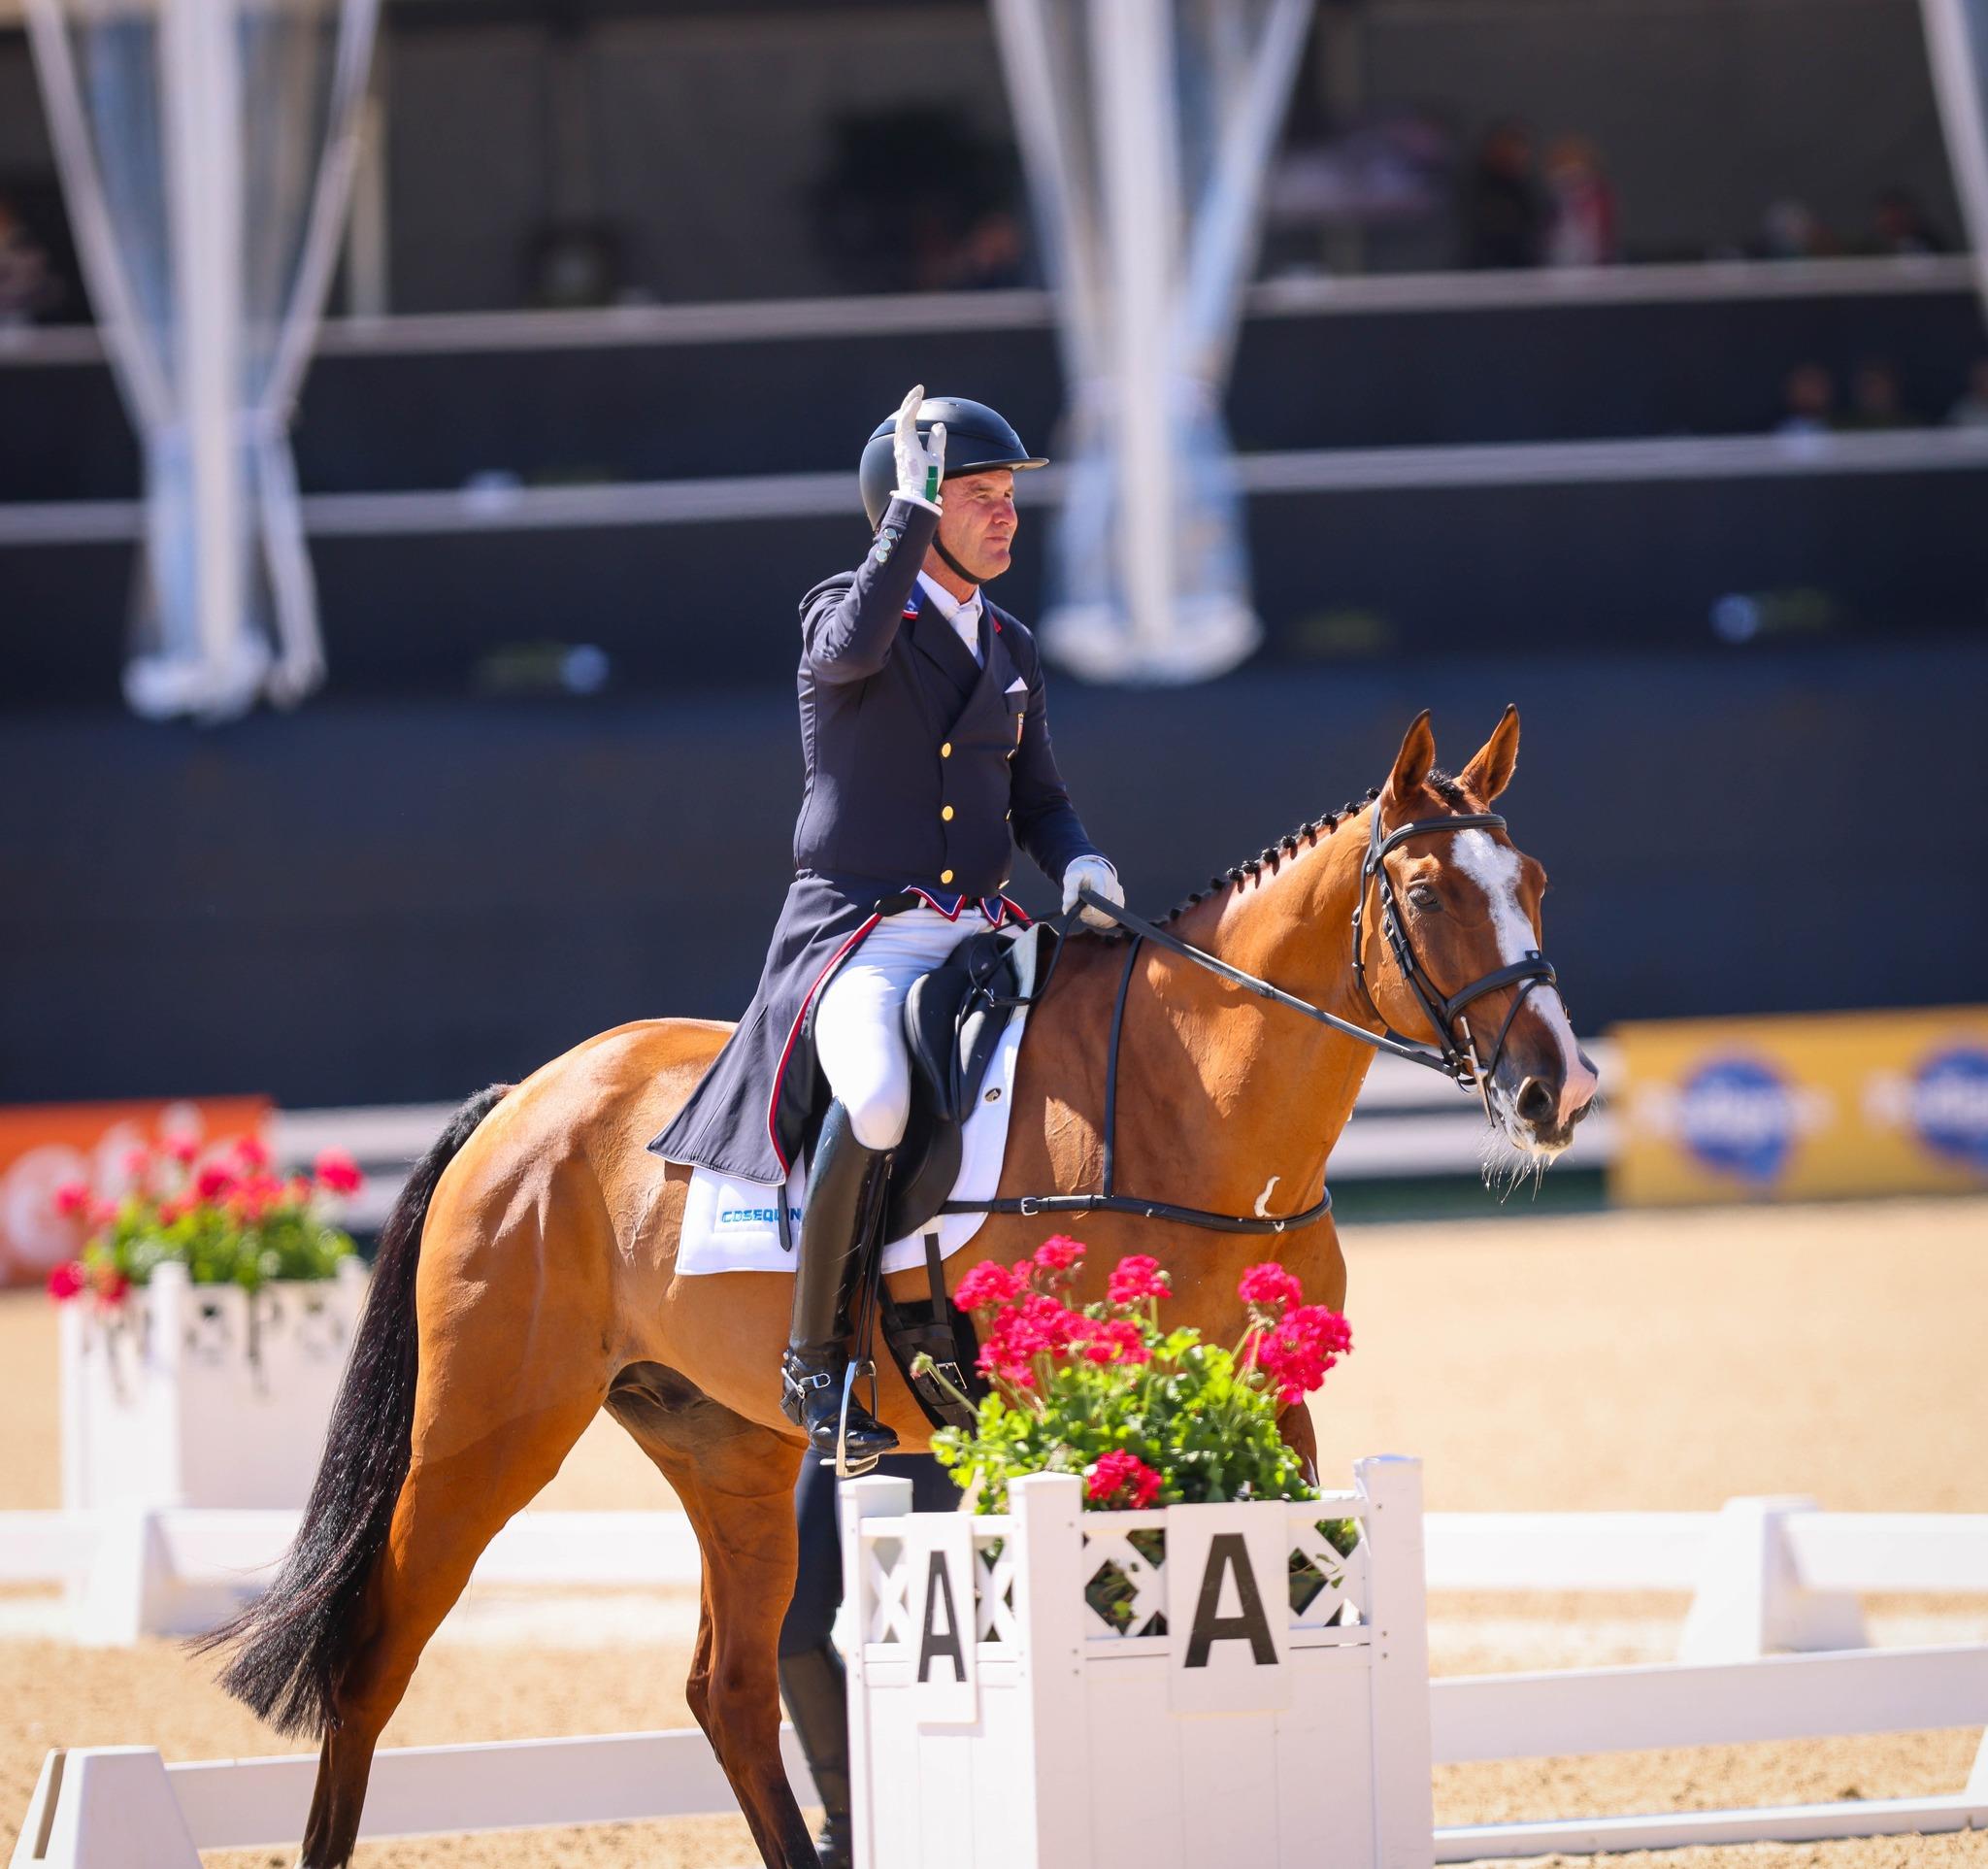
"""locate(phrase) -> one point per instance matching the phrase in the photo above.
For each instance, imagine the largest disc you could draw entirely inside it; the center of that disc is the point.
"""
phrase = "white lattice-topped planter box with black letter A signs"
(1222, 1717)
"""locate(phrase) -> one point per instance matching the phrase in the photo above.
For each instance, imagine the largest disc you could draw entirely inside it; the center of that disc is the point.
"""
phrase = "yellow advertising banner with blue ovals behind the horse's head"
(1802, 1108)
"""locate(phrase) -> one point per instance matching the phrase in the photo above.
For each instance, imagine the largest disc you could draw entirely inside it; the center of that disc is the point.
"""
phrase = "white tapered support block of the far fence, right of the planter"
(1750, 1596)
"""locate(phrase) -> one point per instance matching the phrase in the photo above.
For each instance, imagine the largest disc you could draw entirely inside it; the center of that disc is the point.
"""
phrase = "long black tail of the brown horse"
(293, 1641)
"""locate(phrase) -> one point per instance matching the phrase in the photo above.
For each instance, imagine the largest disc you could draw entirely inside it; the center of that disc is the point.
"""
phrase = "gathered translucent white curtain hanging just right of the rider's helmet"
(1146, 130)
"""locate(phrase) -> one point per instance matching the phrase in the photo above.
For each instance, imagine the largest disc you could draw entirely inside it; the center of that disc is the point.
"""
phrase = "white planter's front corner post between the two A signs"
(1049, 1612)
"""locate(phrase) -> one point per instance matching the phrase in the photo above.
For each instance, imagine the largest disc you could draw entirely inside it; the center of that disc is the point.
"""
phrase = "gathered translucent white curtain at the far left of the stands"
(206, 152)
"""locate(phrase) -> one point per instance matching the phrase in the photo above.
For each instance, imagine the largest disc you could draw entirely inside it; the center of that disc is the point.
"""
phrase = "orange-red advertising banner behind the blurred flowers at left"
(51, 1144)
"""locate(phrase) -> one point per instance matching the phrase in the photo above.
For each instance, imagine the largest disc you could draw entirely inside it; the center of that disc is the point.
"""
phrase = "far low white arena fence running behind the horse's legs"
(1762, 1576)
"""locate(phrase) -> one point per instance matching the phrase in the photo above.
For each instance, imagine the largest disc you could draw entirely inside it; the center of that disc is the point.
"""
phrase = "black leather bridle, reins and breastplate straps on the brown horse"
(1446, 1013)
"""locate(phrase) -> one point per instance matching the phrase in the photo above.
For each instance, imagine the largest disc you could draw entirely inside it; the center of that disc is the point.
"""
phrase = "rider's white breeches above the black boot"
(860, 1033)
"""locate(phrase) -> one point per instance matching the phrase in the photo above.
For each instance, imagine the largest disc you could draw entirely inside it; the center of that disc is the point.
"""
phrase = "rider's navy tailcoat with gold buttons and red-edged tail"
(923, 772)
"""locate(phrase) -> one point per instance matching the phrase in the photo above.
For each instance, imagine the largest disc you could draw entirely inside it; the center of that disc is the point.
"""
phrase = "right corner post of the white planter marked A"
(1399, 1612)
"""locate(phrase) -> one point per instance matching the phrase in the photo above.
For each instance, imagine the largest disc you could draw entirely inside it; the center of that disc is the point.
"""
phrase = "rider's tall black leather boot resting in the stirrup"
(844, 1190)
